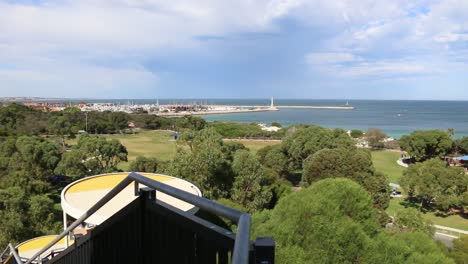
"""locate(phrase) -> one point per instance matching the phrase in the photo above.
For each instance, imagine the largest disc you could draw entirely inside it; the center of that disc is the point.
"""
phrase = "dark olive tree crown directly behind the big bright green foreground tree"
(355, 164)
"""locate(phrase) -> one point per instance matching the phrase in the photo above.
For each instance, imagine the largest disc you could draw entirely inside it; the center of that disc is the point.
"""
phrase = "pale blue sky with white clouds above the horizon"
(318, 49)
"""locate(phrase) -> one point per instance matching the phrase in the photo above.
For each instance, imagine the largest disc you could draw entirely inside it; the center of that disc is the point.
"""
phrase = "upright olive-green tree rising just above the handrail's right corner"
(249, 188)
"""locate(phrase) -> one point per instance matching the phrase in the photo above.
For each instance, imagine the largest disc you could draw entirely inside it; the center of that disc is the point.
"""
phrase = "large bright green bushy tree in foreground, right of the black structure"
(333, 221)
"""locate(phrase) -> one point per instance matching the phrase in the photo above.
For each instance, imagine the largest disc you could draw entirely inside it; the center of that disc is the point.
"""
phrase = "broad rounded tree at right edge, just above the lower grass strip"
(435, 185)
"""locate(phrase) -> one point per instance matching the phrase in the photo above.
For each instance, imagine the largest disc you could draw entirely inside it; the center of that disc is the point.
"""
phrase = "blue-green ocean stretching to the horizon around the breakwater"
(396, 118)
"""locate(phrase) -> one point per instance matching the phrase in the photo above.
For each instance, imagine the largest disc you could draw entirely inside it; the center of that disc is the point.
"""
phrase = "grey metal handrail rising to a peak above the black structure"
(240, 254)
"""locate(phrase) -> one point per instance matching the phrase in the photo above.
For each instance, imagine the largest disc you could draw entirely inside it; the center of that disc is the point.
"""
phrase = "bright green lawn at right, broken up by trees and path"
(386, 162)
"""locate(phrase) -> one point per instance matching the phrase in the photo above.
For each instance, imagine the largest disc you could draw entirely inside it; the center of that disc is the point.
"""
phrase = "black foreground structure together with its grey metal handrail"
(149, 231)
